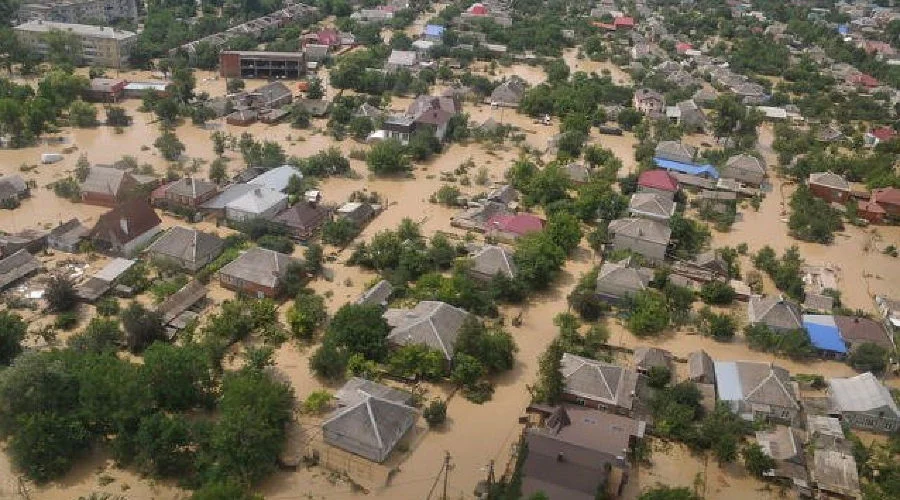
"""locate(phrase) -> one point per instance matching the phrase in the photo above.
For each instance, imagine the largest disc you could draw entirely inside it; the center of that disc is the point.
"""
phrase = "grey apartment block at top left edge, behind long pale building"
(75, 11)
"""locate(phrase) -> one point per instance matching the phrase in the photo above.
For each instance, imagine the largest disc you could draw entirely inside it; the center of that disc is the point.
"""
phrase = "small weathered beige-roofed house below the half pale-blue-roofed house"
(785, 445)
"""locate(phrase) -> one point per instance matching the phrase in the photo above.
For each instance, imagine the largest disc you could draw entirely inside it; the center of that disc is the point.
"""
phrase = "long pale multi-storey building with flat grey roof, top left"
(100, 46)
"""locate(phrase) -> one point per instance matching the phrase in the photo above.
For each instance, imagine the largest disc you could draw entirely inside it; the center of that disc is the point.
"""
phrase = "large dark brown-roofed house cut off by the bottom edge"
(576, 452)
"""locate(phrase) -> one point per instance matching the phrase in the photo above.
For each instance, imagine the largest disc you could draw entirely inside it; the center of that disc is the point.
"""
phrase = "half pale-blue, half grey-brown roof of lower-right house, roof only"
(755, 383)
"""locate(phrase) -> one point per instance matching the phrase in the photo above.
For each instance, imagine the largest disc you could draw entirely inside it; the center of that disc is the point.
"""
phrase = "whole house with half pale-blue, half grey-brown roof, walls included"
(755, 390)
